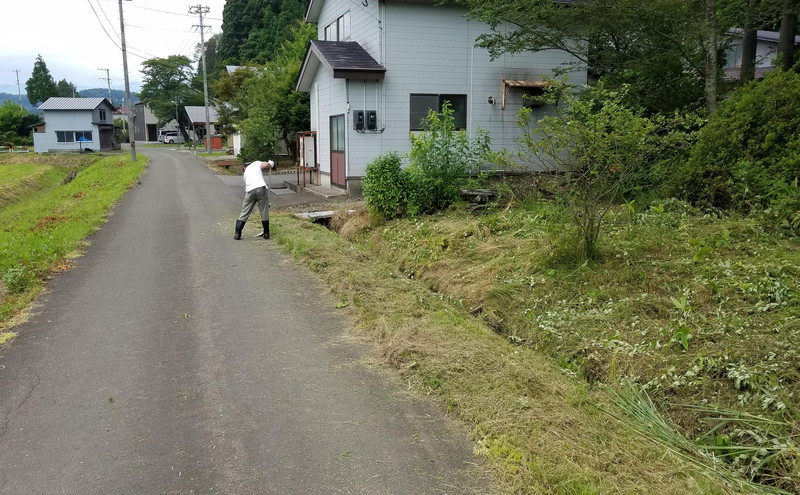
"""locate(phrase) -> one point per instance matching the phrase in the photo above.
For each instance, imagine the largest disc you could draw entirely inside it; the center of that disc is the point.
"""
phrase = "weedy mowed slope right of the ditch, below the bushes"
(700, 311)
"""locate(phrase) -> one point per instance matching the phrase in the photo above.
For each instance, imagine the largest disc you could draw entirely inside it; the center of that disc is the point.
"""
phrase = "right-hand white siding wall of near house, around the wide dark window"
(431, 50)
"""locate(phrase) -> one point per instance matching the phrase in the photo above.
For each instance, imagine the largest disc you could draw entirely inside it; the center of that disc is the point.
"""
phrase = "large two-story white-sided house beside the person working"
(380, 65)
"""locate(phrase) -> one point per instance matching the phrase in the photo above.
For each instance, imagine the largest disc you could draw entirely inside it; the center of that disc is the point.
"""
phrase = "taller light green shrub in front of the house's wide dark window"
(440, 158)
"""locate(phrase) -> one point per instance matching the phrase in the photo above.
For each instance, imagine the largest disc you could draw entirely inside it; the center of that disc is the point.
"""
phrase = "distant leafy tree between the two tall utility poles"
(166, 87)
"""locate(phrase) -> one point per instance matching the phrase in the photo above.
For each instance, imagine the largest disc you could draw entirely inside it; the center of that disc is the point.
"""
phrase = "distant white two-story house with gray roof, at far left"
(71, 124)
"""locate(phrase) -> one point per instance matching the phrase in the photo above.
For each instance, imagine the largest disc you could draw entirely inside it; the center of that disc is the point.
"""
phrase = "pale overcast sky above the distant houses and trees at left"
(70, 36)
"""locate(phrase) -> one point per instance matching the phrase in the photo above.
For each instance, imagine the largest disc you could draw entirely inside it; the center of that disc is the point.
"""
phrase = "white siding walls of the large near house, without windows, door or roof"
(426, 49)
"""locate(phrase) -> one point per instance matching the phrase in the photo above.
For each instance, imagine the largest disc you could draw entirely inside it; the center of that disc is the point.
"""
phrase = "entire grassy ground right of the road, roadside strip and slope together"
(536, 355)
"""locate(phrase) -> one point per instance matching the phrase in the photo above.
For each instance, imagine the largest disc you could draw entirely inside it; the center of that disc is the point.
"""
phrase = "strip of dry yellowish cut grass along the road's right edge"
(541, 429)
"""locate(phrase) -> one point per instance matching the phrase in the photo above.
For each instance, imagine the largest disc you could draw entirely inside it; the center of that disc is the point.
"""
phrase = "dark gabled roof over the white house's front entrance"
(344, 59)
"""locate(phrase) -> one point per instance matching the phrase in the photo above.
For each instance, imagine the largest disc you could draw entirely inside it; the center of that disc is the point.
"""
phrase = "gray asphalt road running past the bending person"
(173, 359)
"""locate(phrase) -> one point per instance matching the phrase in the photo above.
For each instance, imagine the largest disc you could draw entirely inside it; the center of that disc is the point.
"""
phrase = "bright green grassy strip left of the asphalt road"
(43, 222)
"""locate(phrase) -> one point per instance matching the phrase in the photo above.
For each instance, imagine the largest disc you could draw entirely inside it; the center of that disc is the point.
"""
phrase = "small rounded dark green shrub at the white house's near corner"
(386, 187)
